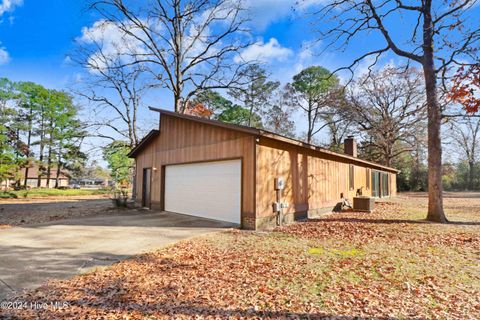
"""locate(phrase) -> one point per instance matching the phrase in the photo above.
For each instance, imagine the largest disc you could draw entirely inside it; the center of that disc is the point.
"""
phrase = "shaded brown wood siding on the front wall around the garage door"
(186, 141)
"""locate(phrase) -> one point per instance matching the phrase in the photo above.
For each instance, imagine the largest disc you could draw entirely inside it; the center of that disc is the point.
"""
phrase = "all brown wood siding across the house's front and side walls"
(314, 180)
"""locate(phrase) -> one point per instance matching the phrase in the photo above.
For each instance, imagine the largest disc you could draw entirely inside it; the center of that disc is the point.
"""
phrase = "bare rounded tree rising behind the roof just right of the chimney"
(388, 105)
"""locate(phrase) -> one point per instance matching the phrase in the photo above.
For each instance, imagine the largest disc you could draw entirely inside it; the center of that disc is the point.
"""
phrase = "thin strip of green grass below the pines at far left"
(40, 193)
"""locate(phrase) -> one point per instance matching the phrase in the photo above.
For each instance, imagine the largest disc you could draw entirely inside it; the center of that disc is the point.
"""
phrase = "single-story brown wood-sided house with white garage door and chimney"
(247, 176)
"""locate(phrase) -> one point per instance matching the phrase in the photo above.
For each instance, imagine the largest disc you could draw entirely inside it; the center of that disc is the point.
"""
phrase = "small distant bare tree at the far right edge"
(466, 135)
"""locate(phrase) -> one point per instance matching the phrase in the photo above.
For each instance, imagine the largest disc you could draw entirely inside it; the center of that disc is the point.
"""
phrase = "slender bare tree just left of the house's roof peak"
(116, 90)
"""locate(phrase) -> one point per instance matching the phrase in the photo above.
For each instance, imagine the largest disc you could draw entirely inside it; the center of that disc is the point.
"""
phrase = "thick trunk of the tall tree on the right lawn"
(435, 187)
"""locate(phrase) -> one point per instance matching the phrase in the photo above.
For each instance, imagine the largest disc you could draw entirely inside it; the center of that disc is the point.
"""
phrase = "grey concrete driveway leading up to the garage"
(29, 255)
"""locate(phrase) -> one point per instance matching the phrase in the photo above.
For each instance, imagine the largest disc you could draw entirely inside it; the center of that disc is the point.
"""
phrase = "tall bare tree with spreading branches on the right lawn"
(440, 36)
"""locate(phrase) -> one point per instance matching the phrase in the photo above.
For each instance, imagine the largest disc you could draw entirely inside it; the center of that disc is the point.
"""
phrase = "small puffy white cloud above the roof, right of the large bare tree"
(264, 52)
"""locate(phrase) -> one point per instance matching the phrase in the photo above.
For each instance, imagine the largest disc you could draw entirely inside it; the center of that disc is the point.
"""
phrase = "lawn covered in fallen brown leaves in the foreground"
(388, 264)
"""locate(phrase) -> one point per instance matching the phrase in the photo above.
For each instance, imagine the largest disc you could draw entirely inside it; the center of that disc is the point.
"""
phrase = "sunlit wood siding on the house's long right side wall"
(312, 180)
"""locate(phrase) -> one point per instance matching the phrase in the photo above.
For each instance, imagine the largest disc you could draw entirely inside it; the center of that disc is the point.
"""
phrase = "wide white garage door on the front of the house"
(209, 189)
